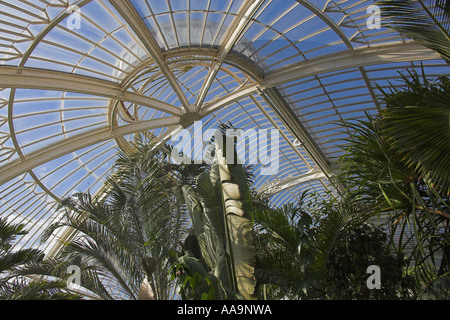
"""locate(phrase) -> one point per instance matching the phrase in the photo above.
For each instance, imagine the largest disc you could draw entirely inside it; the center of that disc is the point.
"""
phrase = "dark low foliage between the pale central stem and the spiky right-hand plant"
(321, 249)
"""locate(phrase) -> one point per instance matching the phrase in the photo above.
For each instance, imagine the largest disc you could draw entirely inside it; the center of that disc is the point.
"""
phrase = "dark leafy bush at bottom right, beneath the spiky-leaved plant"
(356, 249)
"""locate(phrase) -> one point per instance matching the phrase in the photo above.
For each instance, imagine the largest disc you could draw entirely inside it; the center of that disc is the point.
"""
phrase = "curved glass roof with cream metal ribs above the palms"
(78, 79)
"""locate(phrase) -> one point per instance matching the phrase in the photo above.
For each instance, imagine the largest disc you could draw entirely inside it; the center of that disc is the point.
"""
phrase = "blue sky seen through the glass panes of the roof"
(102, 46)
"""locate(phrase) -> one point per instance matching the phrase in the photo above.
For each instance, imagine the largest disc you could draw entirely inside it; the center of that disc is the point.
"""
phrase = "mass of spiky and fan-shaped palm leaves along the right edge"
(379, 171)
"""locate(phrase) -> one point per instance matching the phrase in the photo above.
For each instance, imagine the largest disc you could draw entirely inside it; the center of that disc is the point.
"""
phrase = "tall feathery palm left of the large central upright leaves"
(130, 232)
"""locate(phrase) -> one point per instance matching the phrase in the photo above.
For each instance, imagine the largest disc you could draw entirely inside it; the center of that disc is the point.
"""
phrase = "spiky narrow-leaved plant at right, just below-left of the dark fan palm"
(378, 177)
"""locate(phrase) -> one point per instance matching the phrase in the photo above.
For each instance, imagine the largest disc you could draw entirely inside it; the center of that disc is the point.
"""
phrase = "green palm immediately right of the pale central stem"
(294, 243)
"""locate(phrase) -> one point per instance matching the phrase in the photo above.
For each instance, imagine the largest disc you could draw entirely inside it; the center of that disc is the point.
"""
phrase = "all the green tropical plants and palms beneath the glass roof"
(159, 231)
